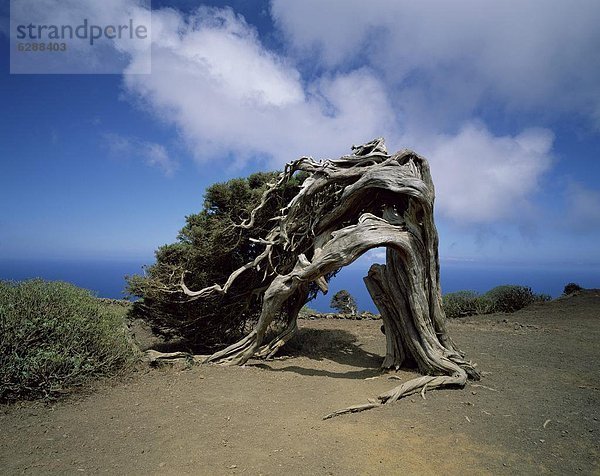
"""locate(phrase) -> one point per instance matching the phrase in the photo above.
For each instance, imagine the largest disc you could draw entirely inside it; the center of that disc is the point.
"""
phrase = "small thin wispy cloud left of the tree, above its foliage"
(150, 153)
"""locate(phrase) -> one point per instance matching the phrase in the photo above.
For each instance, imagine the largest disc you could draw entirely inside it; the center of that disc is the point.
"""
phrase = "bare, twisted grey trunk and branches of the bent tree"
(344, 208)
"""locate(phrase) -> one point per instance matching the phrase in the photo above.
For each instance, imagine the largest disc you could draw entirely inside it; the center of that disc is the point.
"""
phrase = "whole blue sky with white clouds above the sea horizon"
(501, 97)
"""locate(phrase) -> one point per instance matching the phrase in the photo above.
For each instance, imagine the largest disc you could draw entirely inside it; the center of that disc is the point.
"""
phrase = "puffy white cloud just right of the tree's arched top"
(481, 178)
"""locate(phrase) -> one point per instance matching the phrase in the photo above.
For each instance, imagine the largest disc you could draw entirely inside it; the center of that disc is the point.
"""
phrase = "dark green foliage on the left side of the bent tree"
(208, 249)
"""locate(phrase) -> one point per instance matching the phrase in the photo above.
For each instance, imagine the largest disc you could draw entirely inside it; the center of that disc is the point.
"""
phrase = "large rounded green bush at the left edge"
(54, 336)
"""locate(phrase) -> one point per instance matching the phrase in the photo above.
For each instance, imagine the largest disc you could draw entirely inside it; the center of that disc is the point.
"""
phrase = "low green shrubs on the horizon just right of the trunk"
(505, 298)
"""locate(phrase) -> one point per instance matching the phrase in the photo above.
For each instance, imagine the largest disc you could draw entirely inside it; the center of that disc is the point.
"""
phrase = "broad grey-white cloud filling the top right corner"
(449, 58)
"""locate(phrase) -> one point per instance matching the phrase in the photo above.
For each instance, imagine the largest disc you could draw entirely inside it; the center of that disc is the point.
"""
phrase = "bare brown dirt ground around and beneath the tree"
(536, 410)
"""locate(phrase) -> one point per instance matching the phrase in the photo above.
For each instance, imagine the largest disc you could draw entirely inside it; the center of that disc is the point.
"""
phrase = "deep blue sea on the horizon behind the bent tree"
(106, 278)
